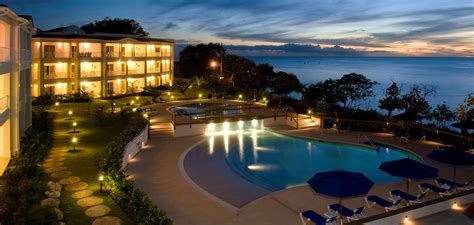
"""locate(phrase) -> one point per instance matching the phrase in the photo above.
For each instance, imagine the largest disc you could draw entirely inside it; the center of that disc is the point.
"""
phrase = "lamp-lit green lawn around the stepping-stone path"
(92, 140)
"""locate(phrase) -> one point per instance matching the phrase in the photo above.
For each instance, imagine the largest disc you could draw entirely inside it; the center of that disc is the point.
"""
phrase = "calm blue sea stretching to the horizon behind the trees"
(452, 77)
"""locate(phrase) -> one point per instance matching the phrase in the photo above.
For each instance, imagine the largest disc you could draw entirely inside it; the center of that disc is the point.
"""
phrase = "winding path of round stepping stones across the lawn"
(55, 167)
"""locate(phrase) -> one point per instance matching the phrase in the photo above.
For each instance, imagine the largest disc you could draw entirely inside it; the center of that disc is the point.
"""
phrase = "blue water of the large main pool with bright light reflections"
(276, 161)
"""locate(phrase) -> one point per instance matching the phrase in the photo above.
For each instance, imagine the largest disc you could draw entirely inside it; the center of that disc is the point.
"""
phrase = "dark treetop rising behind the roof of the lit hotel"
(116, 26)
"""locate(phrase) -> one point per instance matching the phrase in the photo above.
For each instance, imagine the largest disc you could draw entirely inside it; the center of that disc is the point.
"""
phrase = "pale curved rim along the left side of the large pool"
(183, 172)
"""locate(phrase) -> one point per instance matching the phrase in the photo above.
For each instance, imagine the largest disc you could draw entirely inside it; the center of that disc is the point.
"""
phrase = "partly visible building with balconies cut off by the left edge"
(15, 80)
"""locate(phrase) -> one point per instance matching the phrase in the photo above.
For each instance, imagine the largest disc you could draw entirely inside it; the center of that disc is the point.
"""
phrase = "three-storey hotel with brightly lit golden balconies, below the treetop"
(67, 60)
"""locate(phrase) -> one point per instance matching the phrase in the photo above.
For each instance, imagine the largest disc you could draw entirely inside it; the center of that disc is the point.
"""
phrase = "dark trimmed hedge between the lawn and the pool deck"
(132, 200)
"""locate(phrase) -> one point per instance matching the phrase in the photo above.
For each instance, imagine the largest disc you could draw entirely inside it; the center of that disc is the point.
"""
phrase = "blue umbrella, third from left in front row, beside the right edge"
(452, 157)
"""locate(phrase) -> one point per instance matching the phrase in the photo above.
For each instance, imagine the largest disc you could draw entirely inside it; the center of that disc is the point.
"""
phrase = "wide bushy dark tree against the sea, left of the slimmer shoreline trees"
(355, 87)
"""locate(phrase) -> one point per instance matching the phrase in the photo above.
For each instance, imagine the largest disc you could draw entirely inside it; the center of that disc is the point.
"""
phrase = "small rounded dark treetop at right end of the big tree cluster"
(285, 83)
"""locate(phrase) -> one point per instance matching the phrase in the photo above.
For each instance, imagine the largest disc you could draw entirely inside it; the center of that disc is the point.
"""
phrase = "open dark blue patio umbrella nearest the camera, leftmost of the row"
(340, 184)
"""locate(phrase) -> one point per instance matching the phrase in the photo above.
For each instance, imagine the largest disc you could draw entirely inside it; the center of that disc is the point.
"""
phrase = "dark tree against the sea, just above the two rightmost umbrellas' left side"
(416, 99)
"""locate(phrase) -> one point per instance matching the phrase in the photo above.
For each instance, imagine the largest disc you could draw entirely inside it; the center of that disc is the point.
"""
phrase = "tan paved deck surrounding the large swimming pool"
(156, 171)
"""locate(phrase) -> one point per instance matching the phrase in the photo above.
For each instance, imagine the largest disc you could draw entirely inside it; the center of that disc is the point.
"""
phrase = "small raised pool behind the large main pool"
(204, 109)
